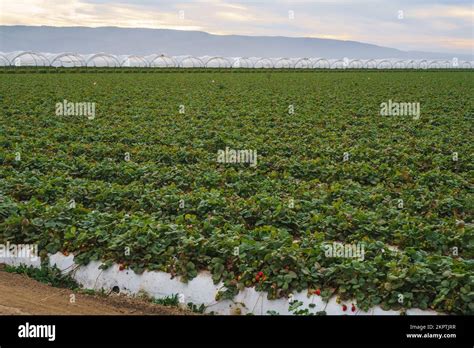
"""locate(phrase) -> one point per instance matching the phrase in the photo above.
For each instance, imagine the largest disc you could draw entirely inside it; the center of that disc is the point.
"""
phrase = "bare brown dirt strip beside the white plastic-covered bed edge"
(25, 296)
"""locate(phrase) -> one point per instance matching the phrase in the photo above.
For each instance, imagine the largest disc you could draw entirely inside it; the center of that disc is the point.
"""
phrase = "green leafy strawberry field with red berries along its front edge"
(139, 183)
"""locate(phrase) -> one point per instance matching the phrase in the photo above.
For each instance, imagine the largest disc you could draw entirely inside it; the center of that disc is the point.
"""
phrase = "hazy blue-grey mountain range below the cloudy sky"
(179, 42)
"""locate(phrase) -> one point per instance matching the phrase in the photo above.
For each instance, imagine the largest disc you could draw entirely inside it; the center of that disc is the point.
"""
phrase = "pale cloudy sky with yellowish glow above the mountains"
(425, 25)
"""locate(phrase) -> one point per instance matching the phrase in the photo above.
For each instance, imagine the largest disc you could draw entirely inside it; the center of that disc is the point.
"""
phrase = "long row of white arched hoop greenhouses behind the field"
(28, 58)
